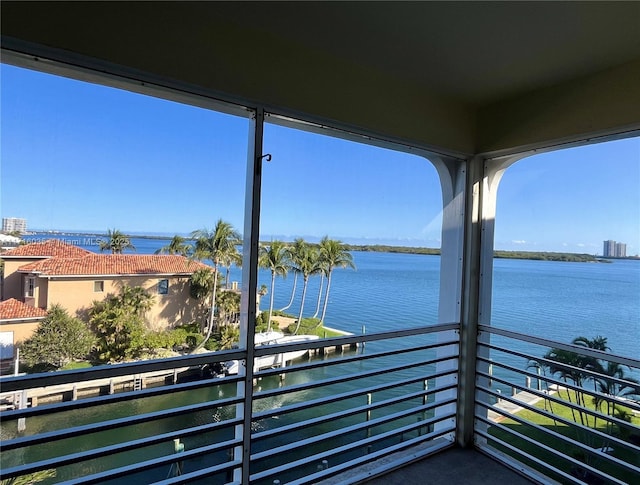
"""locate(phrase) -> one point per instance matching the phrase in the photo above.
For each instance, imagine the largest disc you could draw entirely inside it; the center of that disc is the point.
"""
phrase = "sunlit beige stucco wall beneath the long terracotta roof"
(174, 308)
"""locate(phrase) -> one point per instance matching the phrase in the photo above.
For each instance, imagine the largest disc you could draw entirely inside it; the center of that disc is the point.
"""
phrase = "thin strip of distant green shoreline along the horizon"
(382, 248)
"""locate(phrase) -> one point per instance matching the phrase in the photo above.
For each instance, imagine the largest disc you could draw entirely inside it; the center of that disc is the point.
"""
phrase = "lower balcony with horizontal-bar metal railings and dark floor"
(391, 405)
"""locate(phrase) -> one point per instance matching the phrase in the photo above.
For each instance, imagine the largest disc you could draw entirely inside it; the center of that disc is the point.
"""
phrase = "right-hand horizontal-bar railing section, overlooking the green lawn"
(568, 411)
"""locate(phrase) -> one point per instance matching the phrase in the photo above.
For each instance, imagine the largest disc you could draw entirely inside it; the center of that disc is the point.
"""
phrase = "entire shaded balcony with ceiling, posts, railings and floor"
(452, 402)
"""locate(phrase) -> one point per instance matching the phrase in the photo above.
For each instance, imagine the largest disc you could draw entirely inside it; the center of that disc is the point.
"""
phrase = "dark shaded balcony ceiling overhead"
(464, 77)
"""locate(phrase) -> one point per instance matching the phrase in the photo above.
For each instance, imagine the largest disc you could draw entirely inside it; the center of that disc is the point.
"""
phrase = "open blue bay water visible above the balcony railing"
(555, 300)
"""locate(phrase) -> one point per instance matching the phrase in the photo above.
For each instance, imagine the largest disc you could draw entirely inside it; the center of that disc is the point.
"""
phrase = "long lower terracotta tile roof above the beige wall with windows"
(114, 264)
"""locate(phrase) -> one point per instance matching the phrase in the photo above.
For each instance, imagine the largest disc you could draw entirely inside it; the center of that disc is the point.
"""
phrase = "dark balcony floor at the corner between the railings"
(451, 467)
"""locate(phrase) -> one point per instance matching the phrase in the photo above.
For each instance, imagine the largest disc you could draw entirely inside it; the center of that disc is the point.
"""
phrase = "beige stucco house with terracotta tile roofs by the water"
(45, 273)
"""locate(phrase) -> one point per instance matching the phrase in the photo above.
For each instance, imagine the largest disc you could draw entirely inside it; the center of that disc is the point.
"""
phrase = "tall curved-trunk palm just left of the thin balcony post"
(215, 245)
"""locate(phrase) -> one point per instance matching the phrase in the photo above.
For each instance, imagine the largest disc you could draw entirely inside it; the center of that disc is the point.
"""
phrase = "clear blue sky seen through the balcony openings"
(78, 156)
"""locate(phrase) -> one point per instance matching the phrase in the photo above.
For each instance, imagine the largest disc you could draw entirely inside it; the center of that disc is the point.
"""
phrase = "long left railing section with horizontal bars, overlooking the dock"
(146, 422)
